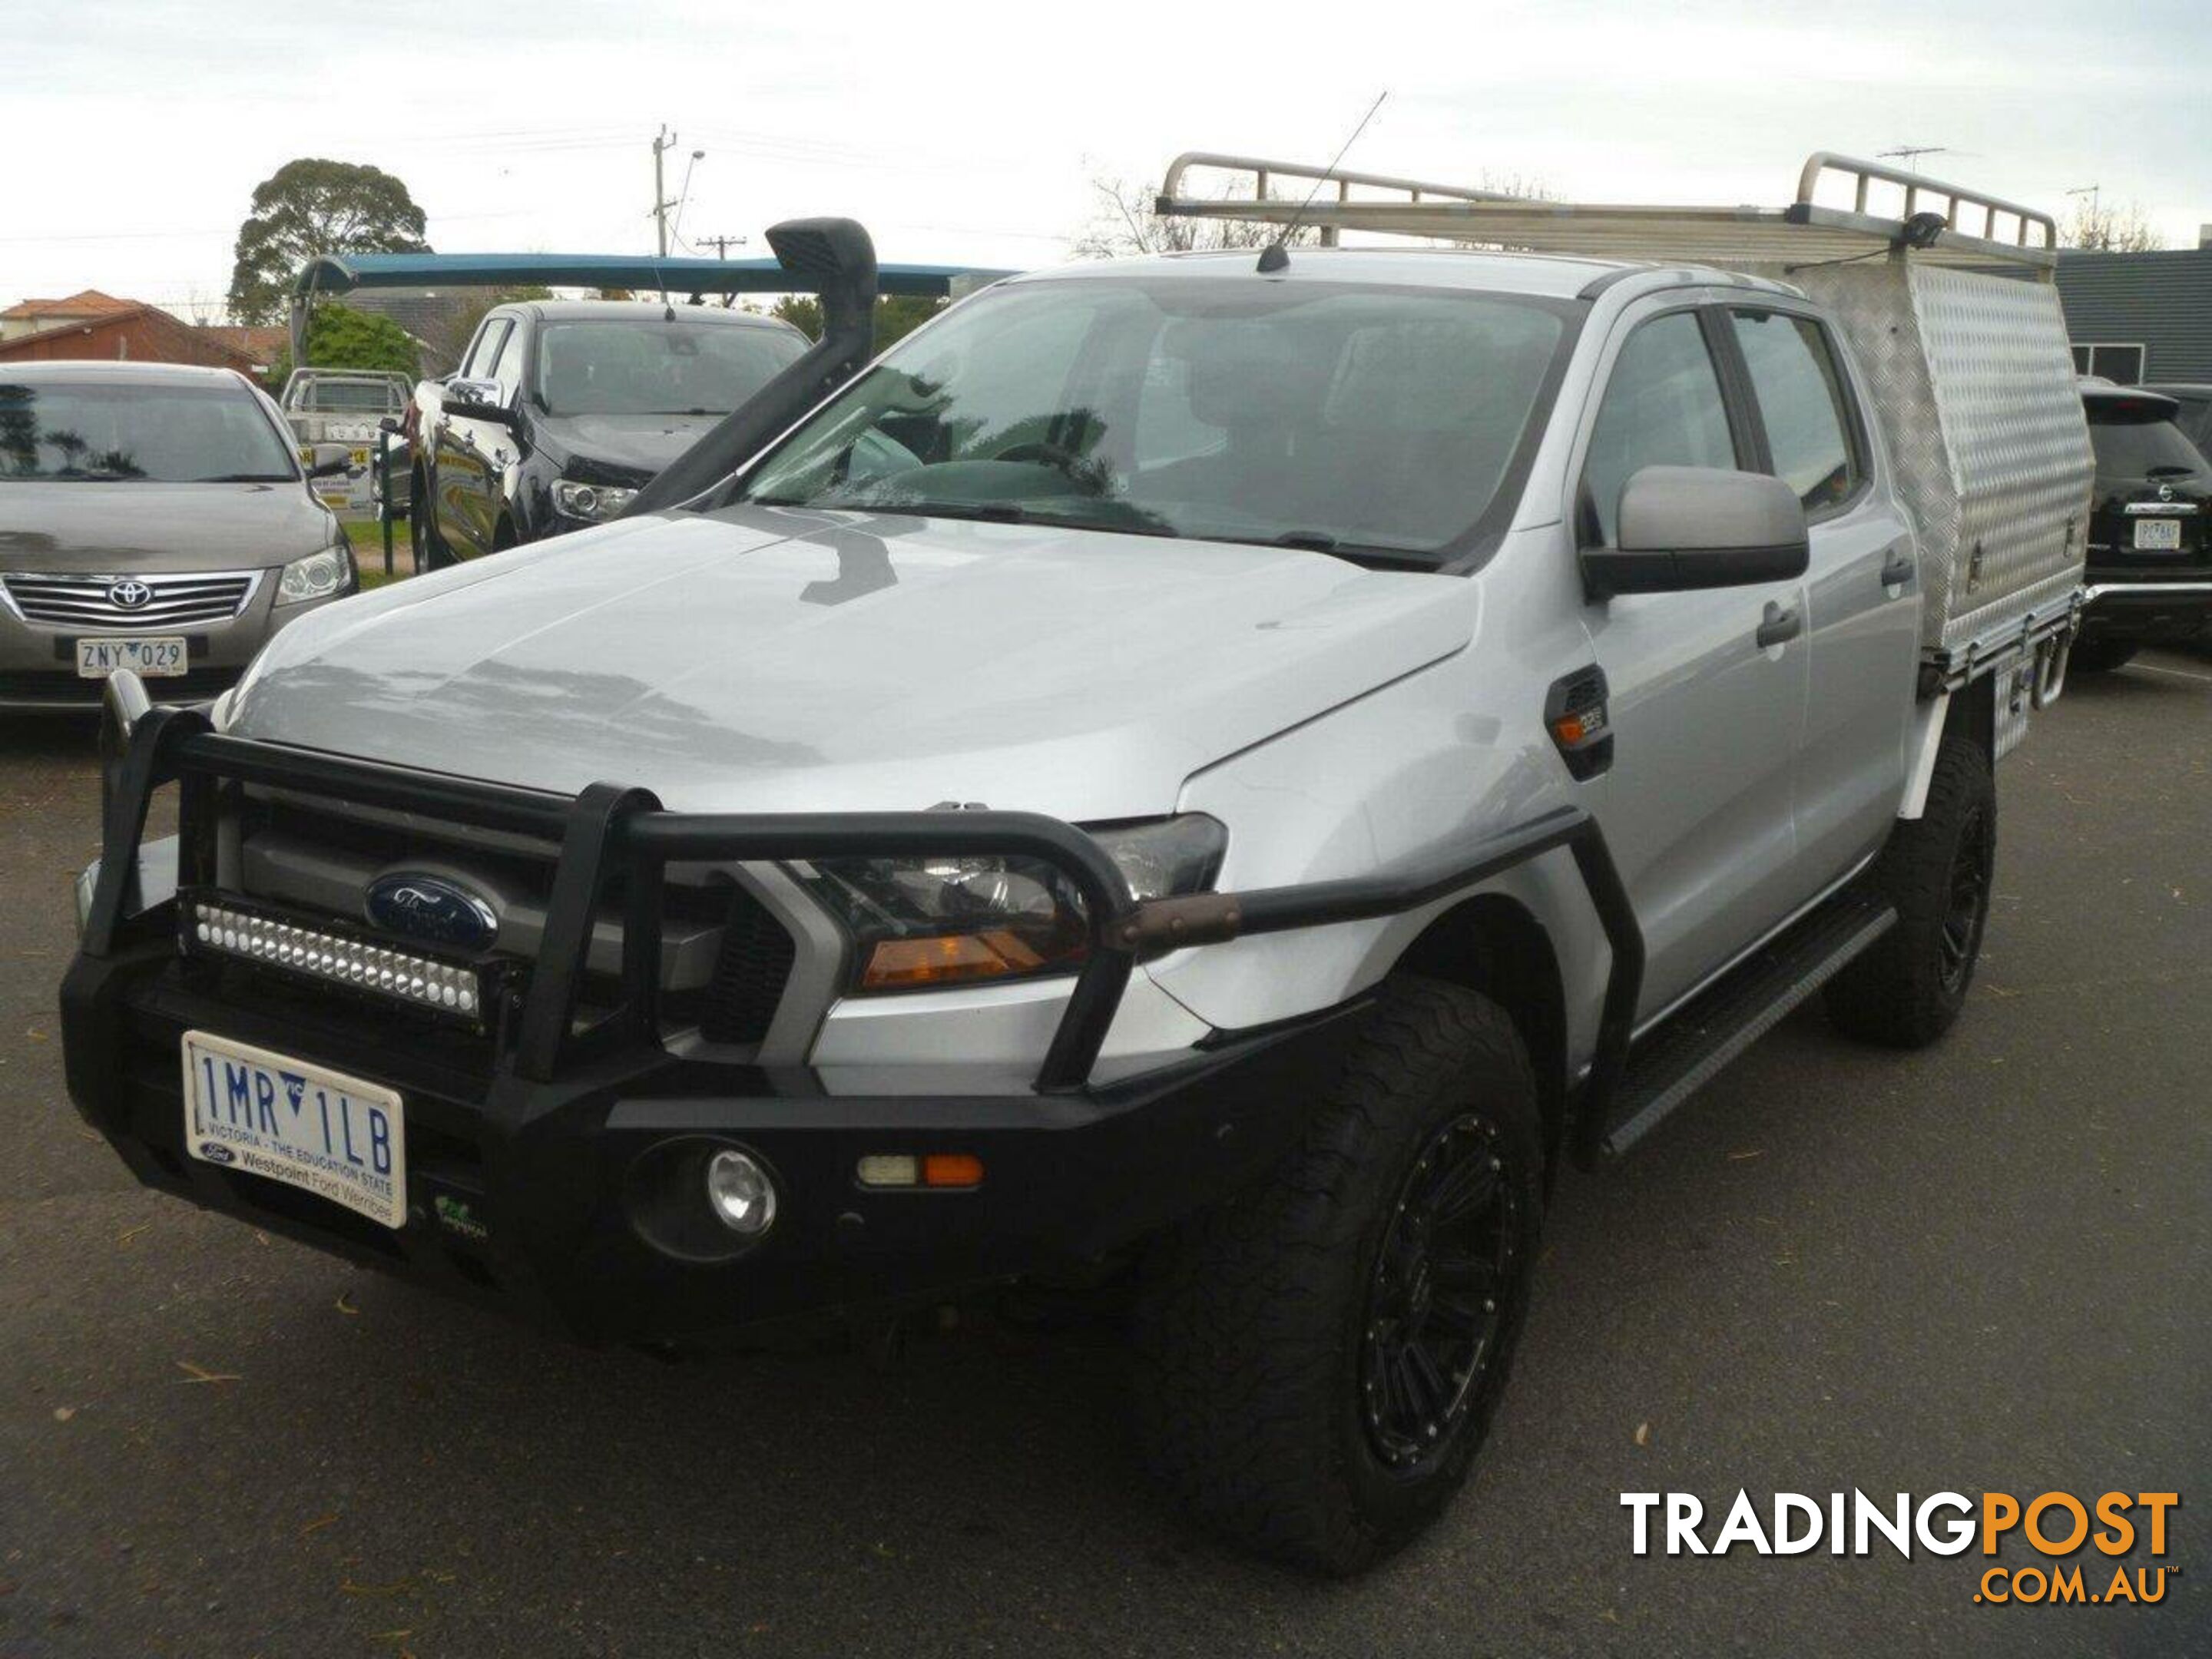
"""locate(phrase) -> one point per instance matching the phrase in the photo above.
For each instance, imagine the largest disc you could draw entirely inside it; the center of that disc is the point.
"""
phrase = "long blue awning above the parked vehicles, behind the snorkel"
(638, 273)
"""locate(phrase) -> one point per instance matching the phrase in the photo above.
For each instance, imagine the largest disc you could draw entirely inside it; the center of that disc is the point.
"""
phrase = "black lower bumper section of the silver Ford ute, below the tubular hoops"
(523, 1196)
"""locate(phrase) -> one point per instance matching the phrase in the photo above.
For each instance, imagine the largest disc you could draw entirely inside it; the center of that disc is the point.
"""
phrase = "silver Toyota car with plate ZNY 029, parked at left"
(154, 517)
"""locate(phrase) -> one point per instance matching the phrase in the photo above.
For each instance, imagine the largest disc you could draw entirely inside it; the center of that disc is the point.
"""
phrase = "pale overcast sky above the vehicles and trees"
(136, 132)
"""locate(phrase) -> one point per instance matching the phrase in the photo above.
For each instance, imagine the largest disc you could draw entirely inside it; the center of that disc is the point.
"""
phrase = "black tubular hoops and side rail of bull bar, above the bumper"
(614, 835)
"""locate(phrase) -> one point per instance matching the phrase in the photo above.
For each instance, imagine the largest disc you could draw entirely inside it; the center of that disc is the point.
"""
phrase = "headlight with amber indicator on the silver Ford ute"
(921, 924)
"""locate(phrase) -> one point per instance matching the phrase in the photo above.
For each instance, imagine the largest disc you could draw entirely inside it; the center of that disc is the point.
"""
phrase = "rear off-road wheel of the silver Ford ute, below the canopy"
(1937, 870)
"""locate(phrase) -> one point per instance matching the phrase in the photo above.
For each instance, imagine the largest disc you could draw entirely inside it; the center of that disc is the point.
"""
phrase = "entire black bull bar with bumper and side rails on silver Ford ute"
(532, 1136)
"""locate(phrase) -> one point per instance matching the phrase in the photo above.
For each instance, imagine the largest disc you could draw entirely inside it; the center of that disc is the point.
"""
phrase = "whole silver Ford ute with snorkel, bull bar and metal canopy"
(1202, 775)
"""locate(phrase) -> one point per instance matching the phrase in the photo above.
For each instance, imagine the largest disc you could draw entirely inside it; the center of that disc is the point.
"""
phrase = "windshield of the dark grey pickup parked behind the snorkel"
(647, 366)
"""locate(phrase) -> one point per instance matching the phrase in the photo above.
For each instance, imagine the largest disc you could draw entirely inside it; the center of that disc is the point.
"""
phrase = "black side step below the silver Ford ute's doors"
(1682, 1056)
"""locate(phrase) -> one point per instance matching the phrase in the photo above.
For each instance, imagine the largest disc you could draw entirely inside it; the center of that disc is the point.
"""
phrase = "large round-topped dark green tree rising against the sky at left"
(313, 207)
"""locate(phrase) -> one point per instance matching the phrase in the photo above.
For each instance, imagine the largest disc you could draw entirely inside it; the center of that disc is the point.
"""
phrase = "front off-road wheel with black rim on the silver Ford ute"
(1262, 1326)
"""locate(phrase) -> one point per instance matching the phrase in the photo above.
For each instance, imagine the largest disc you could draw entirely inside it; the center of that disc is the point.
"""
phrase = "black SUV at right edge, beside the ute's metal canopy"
(2149, 552)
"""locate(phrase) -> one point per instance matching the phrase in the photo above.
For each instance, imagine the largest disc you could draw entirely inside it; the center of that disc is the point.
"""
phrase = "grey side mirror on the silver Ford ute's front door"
(1700, 528)
